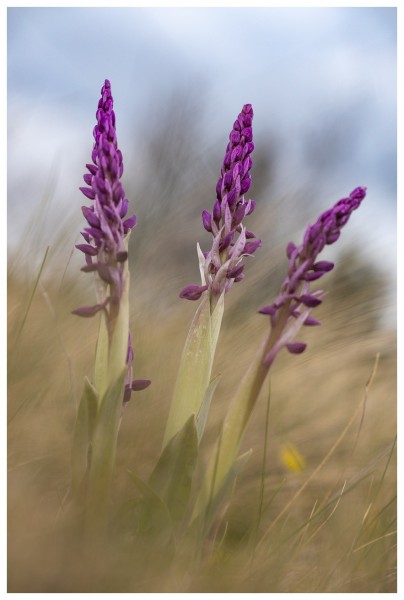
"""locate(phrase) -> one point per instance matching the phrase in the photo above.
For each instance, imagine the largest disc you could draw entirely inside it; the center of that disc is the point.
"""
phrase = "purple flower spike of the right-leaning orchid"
(295, 301)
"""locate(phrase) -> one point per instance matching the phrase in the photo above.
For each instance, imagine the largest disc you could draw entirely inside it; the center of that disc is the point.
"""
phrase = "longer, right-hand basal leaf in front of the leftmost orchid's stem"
(103, 451)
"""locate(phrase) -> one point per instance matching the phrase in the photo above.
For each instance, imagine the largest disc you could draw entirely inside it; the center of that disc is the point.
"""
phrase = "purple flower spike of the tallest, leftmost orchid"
(104, 249)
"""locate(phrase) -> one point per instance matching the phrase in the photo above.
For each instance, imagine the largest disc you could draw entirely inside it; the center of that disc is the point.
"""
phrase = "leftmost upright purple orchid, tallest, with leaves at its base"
(106, 255)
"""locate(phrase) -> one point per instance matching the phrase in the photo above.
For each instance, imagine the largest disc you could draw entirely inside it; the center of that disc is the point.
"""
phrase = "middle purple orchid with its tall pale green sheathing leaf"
(219, 268)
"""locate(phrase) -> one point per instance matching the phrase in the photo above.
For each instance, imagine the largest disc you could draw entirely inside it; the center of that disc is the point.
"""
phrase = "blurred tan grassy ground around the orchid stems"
(285, 530)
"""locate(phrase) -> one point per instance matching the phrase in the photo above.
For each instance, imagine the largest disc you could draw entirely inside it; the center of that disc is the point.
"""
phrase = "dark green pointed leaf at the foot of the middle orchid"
(173, 474)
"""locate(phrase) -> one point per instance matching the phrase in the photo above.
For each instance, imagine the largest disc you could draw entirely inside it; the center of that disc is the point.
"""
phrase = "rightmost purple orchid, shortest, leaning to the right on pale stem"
(287, 314)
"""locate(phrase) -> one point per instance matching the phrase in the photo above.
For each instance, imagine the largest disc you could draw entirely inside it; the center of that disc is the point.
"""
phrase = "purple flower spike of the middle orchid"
(231, 241)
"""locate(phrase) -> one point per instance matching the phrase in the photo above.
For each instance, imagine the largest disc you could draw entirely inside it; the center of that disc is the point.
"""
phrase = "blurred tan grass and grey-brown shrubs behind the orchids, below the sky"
(338, 536)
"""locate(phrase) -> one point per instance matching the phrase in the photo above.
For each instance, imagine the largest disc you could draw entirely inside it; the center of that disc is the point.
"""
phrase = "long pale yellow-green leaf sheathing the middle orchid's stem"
(195, 366)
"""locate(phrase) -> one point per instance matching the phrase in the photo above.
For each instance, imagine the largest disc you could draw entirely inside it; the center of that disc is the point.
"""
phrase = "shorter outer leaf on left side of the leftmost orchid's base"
(83, 431)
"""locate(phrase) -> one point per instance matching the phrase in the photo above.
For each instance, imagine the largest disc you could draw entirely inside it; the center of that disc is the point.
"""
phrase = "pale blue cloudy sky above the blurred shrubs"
(300, 68)
